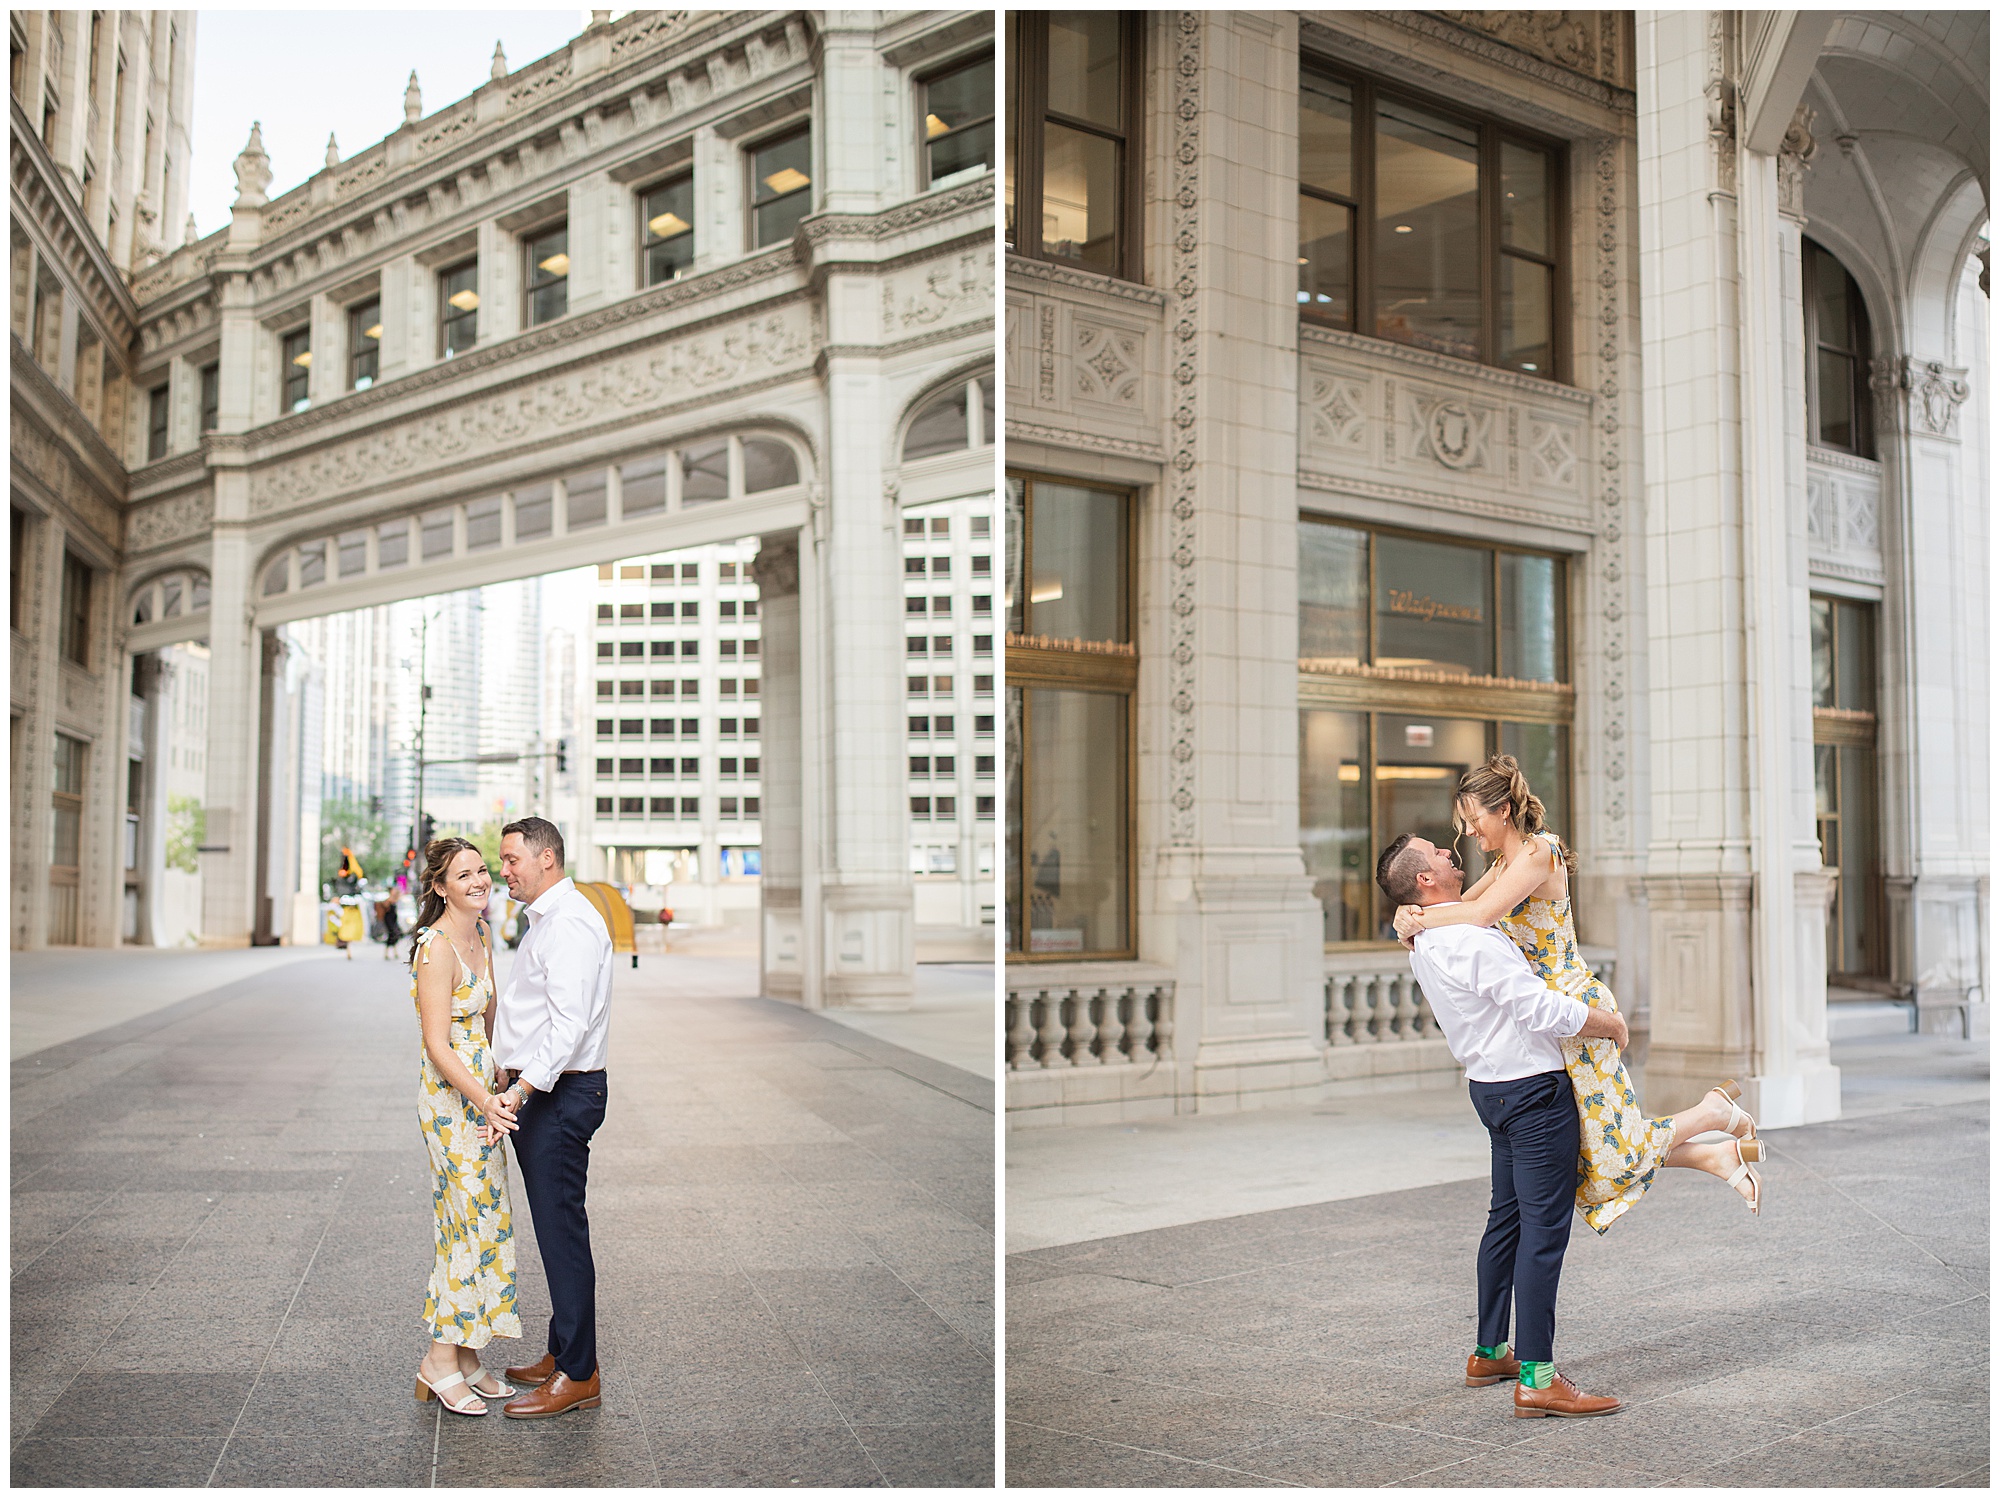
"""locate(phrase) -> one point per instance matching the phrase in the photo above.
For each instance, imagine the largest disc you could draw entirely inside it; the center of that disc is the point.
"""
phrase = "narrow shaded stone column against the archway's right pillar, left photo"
(781, 935)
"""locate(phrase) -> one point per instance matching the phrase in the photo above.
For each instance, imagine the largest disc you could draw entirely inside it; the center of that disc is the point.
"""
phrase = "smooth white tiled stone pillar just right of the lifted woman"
(1737, 915)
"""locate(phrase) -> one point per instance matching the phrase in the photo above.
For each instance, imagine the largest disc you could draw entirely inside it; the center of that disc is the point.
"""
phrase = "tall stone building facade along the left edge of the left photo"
(97, 175)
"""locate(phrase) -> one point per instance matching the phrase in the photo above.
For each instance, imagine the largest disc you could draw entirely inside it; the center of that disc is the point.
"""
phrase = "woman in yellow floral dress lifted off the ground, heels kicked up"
(1527, 893)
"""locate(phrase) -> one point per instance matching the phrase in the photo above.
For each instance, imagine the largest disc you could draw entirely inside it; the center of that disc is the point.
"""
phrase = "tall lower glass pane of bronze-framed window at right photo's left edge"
(1075, 825)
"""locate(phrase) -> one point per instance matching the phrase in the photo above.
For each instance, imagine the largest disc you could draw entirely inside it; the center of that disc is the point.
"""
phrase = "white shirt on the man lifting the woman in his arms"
(1499, 1019)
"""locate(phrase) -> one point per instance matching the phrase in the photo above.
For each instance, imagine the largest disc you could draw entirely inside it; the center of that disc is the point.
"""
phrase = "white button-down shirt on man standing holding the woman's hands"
(557, 1011)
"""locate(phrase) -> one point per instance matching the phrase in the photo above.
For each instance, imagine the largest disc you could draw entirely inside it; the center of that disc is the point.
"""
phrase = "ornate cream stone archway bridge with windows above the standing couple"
(685, 281)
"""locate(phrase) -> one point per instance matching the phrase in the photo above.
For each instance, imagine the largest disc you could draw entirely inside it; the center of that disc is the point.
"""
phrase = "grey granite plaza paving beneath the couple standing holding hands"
(223, 1229)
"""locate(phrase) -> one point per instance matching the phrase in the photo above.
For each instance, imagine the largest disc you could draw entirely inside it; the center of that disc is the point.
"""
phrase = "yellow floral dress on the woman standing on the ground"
(471, 1297)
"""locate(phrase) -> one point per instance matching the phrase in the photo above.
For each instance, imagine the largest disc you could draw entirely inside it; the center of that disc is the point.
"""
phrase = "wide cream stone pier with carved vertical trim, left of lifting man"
(1223, 877)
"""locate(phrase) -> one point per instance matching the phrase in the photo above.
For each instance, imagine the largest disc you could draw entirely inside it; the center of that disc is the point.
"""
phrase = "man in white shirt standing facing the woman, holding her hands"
(551, 1033)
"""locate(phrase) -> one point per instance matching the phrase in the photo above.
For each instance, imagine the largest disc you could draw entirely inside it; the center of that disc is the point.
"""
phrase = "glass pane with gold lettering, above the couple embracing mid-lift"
(1433, 607)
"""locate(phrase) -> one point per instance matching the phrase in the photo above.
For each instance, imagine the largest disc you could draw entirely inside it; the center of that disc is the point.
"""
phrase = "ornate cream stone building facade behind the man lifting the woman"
(1451, 405)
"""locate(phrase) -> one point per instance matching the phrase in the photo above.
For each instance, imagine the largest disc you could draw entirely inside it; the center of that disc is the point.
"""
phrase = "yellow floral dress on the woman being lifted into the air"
(1621, 1147)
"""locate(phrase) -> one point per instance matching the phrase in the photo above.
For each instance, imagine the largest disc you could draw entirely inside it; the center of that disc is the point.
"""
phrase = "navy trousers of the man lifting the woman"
(1533, 1127)
